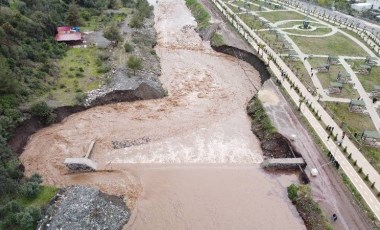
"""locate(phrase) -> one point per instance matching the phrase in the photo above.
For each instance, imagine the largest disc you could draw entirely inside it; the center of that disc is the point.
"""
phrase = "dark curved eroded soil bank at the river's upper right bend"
(248, 57)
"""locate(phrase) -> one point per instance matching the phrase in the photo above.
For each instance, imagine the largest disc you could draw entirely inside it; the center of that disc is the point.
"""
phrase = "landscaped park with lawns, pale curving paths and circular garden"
(282, 29)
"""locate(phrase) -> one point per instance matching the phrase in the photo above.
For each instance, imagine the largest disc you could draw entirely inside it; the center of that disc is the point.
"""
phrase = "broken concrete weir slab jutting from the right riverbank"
(283, 163)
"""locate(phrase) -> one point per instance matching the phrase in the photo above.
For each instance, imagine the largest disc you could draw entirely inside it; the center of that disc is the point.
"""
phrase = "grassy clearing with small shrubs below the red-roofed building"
(79, 71)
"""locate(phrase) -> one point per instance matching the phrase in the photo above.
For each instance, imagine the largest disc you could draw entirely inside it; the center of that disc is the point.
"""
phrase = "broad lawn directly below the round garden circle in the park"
(335, 45)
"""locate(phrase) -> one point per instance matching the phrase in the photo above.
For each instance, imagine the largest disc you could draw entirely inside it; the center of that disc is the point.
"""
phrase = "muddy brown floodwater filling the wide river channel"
(199, 169)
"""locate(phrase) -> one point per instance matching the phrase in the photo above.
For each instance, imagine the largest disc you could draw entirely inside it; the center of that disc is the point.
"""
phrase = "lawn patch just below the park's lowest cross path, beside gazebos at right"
(356, 122)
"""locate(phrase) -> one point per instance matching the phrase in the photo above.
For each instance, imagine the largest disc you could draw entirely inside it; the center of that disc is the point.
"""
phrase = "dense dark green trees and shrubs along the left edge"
(29, 69)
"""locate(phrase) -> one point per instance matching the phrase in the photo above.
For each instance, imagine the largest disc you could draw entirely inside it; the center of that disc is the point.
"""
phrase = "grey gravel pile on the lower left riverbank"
(80, 207)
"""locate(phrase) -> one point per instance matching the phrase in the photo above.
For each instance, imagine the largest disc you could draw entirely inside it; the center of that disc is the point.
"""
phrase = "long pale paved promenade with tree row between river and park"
(360, 185)
